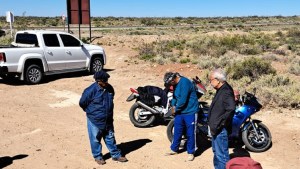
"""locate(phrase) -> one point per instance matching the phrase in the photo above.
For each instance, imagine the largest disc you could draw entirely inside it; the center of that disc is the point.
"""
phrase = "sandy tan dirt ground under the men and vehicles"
(42, 126)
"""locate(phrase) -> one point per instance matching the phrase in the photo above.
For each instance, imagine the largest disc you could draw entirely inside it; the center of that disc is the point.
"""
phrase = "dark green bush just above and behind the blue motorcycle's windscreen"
(252, 67)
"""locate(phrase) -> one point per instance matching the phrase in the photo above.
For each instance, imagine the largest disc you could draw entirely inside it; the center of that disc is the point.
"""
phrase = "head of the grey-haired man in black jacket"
(217, 78)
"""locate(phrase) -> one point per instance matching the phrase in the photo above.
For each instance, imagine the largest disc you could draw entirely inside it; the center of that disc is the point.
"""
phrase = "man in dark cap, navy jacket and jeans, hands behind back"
(97, 102)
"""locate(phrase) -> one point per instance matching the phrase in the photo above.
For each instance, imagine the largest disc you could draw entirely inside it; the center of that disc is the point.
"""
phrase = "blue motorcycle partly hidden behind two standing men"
(253, 133)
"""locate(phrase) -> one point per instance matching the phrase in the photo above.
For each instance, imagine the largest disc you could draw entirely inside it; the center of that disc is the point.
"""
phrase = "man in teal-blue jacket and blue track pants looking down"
(185, 107)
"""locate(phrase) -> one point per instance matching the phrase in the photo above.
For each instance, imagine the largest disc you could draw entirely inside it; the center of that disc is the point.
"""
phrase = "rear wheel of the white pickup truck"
(33, 74)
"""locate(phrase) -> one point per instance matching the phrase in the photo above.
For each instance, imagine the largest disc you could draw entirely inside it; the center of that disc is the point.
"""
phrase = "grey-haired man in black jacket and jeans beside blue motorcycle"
(220, 116)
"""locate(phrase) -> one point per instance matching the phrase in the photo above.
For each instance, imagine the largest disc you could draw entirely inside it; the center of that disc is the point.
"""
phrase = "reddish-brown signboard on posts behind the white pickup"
(78, 11)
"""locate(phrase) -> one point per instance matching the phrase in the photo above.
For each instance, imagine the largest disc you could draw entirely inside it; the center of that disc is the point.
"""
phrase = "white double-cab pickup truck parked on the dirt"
(36, 53)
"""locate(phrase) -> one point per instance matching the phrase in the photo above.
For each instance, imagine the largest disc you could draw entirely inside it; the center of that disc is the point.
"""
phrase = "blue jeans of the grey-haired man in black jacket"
(220, 149)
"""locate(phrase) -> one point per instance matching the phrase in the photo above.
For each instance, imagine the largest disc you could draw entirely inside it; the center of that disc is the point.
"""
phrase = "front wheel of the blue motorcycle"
(255, 143)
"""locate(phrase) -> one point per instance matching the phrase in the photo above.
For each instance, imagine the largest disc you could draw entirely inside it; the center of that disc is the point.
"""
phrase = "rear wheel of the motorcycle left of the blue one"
(140, 120)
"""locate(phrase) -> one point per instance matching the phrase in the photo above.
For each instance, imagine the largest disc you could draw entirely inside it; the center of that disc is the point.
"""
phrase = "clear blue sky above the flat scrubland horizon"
(157, 8)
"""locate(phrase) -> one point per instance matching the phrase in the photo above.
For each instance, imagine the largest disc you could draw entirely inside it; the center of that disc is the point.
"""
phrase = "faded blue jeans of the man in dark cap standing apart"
(95, 136)
